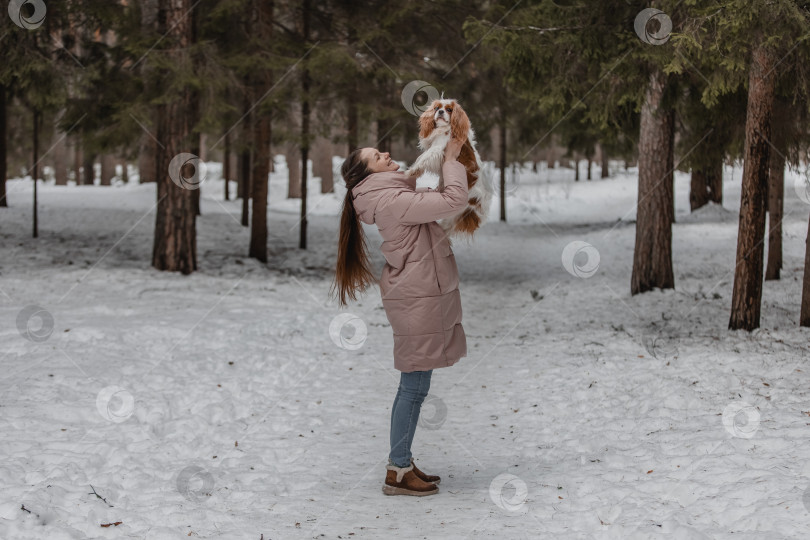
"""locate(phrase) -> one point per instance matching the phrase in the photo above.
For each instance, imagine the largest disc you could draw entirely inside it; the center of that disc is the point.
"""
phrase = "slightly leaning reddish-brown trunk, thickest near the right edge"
(747, 296)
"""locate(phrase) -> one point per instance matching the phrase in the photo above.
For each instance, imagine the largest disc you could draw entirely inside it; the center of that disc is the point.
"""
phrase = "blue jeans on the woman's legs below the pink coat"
(413, 388)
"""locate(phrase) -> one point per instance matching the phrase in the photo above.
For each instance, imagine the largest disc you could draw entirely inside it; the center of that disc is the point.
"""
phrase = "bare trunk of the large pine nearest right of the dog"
(652, 258)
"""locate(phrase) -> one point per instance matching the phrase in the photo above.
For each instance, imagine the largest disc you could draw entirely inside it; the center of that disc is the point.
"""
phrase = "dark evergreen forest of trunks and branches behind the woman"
(120, 84)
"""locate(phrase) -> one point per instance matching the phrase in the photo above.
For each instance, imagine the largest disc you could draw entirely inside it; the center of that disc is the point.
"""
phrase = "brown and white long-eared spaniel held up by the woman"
(442, 120)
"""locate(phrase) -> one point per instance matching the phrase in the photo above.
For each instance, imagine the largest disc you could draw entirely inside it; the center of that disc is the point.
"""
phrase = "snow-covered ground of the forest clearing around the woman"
(238, 403)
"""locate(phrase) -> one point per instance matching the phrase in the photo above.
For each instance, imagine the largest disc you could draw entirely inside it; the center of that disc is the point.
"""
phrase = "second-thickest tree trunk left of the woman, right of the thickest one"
(262, 28)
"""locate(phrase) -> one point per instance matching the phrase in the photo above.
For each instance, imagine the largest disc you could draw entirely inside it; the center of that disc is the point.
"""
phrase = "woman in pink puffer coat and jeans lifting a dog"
(418, 285)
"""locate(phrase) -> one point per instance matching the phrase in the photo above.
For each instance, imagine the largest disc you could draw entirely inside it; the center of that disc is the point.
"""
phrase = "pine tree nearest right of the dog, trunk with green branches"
(576, 56)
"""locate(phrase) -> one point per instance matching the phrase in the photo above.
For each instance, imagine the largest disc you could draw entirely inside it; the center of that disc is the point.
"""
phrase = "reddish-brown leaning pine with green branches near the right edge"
(755, 42)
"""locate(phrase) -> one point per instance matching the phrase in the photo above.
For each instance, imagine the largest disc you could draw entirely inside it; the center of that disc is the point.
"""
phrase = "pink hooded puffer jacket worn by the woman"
(419, 282)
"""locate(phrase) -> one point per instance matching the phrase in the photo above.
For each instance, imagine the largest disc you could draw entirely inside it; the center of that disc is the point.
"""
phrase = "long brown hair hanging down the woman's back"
(352, 271)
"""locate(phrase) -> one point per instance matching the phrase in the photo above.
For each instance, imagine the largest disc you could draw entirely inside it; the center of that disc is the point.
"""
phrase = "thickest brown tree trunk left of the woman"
(175, 243)
